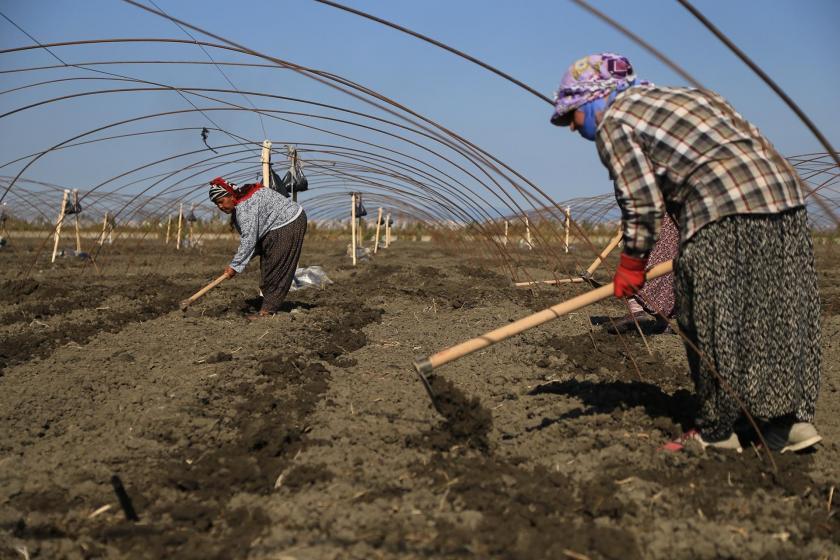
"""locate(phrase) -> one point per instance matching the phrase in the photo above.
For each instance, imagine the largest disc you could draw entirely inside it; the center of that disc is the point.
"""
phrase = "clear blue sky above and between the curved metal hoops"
(795, 42)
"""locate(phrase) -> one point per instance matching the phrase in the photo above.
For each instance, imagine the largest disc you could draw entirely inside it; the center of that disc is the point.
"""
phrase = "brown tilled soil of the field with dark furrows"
(308, 435)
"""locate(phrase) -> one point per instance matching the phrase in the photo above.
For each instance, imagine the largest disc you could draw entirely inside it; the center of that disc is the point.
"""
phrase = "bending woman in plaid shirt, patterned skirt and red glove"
(745, 283)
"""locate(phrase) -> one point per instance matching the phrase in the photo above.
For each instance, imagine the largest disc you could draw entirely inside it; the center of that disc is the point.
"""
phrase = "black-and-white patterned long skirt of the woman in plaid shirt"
(747, 298)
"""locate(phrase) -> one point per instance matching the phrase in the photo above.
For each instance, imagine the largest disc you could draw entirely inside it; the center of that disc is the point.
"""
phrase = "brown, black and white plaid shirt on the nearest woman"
(688, 152)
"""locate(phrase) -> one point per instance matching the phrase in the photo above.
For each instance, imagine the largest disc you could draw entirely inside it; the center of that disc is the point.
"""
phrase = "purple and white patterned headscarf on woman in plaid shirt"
(590, 78)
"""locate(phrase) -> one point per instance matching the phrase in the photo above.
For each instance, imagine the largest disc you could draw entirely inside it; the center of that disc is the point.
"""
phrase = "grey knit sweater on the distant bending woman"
(263, 211)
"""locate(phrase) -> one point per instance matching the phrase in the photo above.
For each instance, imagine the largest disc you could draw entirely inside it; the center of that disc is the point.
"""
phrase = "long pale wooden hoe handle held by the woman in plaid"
(426, 365)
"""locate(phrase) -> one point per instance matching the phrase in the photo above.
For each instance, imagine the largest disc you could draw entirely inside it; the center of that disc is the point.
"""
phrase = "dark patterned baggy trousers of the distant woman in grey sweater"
(279, 251)
